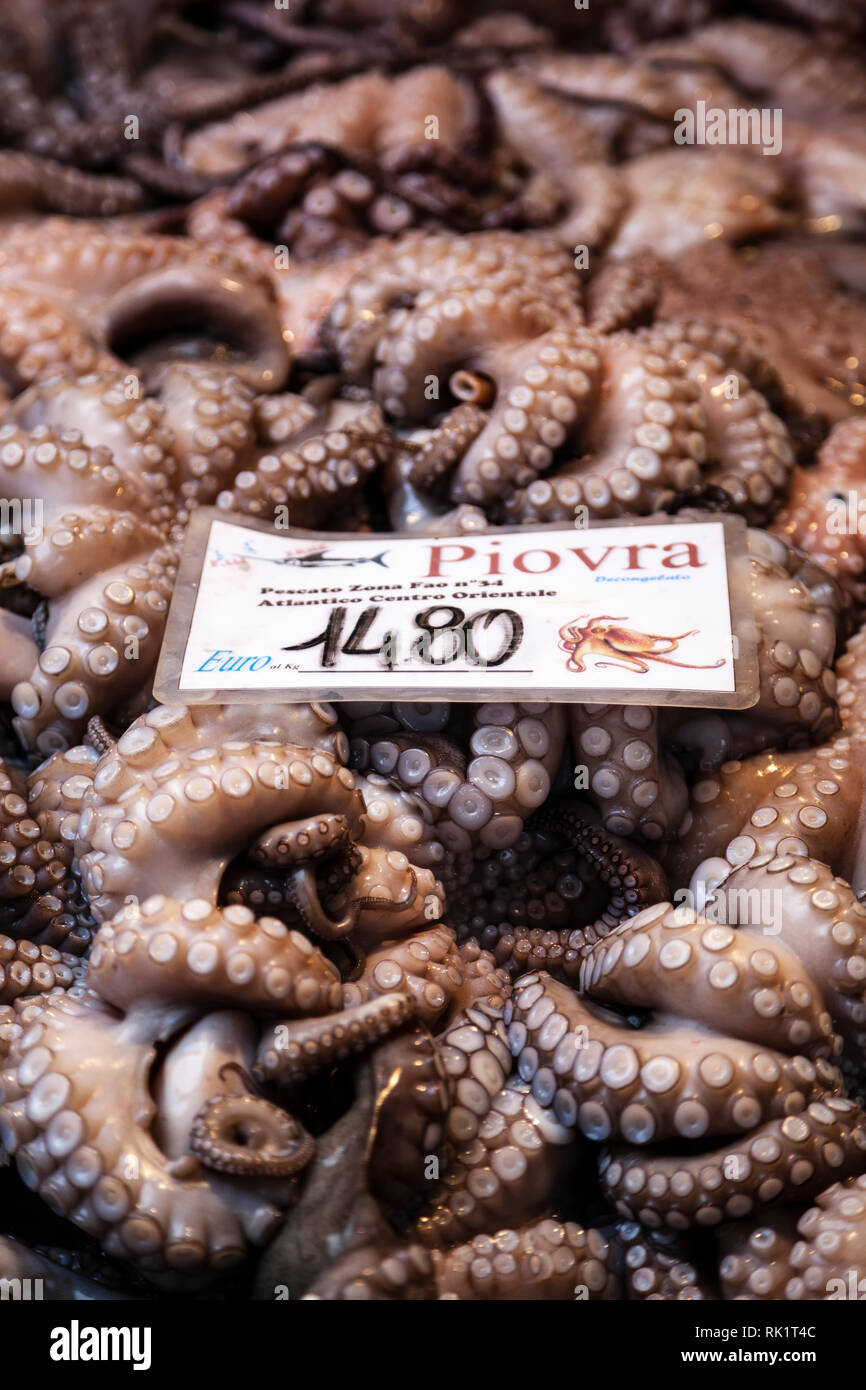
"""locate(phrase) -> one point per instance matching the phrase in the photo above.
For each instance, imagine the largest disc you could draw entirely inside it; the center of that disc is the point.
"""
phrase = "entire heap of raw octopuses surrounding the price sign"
(376, 1000)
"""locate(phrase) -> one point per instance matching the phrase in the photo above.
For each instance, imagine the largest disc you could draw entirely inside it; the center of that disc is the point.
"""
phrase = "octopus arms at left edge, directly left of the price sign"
(99, 568)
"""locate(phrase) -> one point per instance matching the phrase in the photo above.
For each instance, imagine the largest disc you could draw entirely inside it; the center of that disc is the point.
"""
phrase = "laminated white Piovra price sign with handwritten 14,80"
(650, 612)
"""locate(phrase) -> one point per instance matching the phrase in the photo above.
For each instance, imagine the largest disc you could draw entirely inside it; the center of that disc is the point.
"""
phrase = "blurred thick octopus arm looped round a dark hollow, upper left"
(92, 301)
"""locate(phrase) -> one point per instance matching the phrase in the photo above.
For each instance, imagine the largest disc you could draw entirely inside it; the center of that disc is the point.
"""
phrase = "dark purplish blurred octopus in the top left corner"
(102, 90)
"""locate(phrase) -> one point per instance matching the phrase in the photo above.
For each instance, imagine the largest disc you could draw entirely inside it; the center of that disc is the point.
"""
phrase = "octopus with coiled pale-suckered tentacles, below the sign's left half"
(230, 1131)
